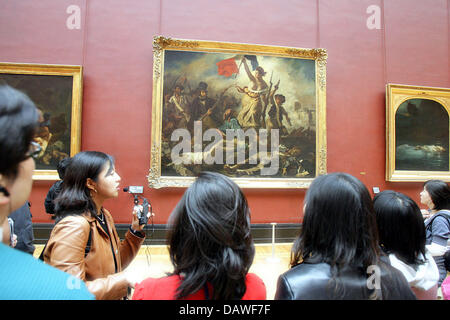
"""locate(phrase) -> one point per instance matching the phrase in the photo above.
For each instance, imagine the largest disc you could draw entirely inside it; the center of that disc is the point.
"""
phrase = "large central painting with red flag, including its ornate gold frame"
(254, 113)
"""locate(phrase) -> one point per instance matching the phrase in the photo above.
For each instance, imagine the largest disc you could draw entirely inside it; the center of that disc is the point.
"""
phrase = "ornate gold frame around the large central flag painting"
(161, 43)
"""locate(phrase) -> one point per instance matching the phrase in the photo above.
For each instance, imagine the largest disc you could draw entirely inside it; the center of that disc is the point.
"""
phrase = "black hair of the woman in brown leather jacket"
(75, 197)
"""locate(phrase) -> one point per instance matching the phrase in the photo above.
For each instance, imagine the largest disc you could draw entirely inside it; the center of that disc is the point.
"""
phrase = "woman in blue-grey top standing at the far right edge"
(436, 196)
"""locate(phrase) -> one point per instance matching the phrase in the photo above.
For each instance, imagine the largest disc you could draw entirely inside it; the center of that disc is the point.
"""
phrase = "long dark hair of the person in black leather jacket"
(339, 224)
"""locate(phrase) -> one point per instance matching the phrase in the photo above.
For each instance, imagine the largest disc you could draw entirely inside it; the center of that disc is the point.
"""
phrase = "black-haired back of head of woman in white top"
(400, 226)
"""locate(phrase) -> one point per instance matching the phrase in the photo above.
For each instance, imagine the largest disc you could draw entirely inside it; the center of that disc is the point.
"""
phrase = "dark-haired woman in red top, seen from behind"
(210, 246)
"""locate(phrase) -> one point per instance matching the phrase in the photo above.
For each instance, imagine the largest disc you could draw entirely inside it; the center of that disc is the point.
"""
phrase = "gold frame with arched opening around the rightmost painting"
(438, 94)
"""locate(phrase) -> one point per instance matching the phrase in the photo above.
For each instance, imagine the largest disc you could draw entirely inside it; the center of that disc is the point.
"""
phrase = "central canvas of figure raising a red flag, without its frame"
(266, 104)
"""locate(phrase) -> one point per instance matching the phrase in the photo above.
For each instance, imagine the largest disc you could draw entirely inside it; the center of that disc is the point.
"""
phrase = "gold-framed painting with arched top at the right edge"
(417, 133)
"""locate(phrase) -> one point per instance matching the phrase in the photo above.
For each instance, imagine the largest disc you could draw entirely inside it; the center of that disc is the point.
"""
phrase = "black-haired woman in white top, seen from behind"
(402, 237)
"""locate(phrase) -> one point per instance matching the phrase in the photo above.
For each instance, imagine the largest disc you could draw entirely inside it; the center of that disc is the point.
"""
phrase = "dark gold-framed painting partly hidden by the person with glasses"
(56, 91)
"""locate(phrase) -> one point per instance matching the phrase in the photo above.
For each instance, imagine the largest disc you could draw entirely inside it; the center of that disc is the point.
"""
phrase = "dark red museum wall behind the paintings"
(114, 46)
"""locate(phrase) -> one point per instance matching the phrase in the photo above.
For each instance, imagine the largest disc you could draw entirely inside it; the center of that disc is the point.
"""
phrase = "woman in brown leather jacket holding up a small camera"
(84, 241)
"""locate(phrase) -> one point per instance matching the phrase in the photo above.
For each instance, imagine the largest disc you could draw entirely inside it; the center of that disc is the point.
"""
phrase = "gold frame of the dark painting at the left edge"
(76, 72)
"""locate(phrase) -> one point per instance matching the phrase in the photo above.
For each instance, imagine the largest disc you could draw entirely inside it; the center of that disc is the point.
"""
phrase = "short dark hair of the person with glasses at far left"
(18, 123)
